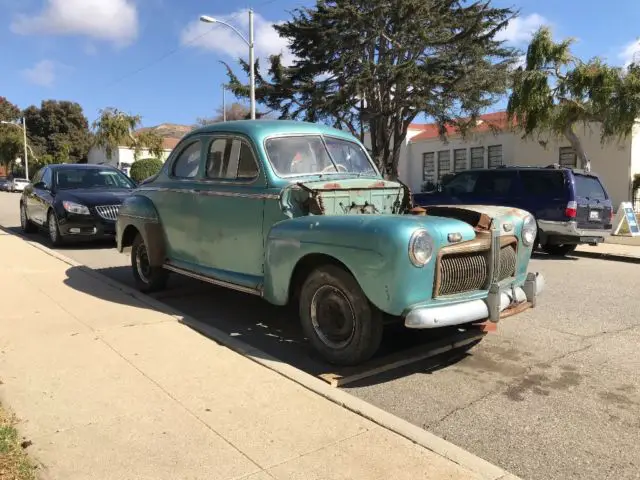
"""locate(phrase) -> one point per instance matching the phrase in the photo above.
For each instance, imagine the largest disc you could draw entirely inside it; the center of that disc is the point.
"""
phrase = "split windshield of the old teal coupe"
(313, 154)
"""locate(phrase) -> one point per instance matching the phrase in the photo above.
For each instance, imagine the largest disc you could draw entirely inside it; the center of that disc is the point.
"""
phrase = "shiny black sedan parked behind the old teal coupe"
(74, 201)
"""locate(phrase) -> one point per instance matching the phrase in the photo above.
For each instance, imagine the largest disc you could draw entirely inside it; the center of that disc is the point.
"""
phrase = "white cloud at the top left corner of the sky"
(111, 20)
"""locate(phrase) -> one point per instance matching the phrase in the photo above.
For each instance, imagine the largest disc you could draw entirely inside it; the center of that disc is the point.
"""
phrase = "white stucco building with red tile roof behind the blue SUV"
(426, 158)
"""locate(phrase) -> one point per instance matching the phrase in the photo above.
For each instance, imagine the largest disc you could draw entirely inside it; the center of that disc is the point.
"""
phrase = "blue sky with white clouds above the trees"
(153, 58)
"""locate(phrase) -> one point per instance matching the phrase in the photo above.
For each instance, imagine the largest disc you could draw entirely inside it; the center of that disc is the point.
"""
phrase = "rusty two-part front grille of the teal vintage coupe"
(465, 272)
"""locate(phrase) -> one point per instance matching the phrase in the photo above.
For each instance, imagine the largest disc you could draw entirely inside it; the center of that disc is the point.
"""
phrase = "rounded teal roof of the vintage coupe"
(265, 128)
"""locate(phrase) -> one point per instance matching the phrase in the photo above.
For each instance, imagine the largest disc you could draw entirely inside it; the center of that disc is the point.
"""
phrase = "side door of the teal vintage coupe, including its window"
(230, 210)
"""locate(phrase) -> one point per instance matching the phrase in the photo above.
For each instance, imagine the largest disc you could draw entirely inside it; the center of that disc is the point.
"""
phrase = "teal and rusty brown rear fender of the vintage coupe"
(137, 214)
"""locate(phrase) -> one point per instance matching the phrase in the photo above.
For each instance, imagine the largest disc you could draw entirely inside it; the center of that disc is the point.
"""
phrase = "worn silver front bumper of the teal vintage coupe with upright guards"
(499, 303)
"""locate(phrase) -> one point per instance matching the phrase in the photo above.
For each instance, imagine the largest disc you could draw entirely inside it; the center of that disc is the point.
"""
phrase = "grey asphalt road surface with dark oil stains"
(554, 394)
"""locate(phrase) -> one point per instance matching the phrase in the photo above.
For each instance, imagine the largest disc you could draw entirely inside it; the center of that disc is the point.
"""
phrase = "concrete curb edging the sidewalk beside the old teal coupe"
(382, 418)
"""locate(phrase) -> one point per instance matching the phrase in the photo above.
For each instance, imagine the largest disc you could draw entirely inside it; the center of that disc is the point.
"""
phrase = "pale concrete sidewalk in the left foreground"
(108, 388)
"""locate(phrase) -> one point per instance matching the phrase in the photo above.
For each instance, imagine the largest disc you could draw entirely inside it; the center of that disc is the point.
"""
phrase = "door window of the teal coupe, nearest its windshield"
(231, 159)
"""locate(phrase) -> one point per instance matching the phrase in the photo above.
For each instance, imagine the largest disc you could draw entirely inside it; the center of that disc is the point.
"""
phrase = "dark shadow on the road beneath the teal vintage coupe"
(267, 328)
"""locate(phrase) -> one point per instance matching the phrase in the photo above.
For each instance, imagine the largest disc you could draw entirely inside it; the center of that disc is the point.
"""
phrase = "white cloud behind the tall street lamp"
(224, 40)
